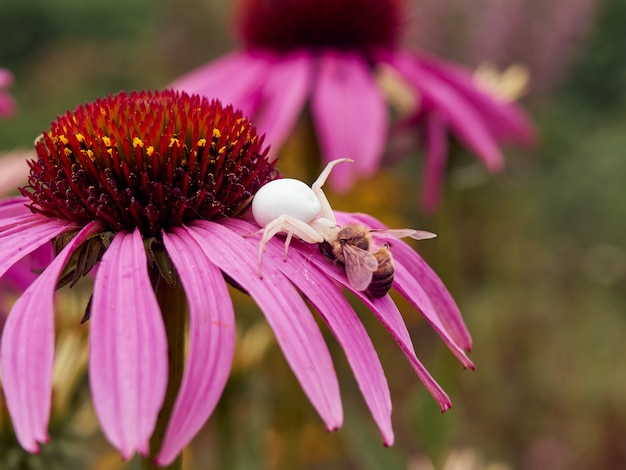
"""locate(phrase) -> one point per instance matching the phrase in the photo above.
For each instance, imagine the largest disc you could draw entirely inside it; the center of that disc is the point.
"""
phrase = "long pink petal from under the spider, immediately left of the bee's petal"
(342, 320)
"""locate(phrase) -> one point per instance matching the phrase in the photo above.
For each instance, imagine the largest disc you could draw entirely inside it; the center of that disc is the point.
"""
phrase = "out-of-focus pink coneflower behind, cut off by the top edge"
(343, 58)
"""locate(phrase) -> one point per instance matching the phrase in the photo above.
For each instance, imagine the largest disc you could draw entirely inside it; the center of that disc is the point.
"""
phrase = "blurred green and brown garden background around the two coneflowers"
(535, 256)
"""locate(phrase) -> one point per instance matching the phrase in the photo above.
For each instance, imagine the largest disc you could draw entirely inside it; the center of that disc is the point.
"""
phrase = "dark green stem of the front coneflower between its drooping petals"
(174, 309)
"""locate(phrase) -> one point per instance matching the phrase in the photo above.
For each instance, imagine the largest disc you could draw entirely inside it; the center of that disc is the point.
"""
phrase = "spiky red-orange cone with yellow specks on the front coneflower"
(147, 160)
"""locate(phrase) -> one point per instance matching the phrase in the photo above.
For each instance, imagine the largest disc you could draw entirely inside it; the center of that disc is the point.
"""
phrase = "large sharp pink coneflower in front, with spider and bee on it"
(147, 187)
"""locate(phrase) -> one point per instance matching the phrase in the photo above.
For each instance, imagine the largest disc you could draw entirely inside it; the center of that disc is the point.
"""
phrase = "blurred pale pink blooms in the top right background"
(544, 36)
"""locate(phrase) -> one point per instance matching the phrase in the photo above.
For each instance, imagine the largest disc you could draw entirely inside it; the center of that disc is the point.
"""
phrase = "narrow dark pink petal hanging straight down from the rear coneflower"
(436, 159)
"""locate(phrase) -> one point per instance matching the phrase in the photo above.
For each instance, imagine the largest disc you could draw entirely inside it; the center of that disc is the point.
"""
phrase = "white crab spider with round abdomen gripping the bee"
(289, 205)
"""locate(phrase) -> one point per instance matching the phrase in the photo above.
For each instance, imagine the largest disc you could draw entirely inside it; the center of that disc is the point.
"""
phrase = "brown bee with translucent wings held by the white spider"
(370, 271)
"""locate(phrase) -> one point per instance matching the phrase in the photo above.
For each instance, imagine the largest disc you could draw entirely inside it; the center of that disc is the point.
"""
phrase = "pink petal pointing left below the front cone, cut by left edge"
(20, 240)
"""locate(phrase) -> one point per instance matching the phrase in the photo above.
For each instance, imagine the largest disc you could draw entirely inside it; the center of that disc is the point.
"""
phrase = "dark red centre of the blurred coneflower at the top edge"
(284, 25)
